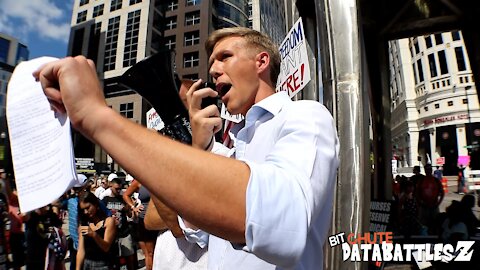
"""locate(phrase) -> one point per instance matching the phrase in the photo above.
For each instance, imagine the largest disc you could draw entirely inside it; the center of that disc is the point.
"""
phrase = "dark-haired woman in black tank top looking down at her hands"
(96, 250)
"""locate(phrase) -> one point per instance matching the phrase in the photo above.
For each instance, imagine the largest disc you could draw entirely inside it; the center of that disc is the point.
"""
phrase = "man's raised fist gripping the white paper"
(71, 85)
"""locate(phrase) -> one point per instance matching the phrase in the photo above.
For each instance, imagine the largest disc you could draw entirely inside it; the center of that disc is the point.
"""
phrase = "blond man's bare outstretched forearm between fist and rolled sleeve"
(204, 188)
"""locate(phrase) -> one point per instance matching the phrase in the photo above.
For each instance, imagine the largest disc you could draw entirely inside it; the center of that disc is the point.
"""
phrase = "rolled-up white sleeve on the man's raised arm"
(287, 190)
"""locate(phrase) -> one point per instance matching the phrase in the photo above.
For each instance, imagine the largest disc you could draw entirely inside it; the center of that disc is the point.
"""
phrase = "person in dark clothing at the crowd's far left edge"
(17, 234)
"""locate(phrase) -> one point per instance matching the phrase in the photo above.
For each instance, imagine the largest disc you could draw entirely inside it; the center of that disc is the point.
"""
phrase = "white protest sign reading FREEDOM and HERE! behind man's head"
(294, 69)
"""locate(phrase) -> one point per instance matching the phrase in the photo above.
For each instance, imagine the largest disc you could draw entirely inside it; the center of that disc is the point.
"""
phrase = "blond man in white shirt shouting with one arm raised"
(268, 206)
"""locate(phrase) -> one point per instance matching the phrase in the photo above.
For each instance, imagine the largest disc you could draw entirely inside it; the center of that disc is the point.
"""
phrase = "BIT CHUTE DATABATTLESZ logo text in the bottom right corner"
(379, 247)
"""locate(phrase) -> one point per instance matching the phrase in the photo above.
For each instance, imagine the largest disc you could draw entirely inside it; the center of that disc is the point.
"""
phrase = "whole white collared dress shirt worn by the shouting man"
(292, 151)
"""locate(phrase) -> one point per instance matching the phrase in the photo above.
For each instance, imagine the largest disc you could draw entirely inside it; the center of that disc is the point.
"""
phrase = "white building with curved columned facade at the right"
(435, 108)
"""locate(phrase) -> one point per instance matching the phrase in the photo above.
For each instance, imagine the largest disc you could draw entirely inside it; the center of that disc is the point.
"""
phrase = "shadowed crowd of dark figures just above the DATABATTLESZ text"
(417, 201)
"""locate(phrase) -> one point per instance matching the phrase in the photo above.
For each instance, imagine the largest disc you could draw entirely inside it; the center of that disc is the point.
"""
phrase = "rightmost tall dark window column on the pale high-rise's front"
(131, 39)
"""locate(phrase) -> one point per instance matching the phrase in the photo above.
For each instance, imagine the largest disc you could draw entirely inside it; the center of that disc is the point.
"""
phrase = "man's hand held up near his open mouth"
(205, 122)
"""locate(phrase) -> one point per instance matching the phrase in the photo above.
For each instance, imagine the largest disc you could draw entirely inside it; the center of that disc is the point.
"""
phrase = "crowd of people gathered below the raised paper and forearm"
(105, 221)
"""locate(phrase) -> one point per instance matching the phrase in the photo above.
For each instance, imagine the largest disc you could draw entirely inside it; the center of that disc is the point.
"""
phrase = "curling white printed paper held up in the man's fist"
(41, 144)
